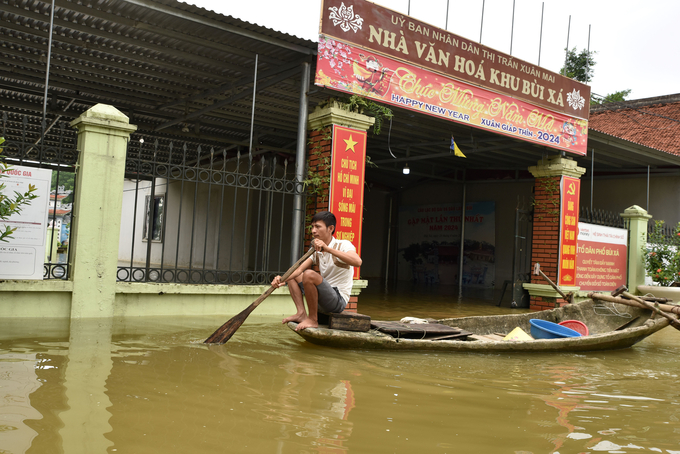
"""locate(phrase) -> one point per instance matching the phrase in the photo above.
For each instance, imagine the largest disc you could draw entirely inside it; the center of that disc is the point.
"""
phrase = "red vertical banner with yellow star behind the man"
(348, 163)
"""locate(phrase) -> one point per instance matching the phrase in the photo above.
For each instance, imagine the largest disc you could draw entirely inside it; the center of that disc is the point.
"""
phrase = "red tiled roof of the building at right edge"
(652, 122)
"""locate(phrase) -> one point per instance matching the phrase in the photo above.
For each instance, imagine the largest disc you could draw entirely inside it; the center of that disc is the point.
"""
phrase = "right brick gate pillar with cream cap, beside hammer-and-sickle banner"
(546, 228)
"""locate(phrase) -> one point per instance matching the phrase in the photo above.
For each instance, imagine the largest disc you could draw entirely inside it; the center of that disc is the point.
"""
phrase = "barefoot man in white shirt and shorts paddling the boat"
(329, 291)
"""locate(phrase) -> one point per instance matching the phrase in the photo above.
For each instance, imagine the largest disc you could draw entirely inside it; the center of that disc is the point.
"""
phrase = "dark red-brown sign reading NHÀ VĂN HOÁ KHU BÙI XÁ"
(391, 33)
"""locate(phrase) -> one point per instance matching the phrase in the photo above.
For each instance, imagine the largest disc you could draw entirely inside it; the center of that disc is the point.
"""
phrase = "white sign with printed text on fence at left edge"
(22, 256)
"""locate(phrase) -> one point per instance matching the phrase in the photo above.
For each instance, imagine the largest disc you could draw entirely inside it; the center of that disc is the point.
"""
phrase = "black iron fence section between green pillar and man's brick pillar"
(204, 215)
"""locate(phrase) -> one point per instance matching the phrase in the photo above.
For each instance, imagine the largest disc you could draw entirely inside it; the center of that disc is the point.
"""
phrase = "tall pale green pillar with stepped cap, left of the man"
(103, 135)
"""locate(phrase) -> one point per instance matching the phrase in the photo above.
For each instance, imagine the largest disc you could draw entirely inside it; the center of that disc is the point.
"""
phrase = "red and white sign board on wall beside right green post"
(601, 257)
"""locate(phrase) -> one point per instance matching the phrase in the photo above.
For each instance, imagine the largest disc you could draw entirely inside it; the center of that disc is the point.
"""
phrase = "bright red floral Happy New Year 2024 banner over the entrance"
(349, 69)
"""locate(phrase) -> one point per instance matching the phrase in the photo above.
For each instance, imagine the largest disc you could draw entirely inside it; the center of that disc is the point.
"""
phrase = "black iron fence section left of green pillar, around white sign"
(32, 142)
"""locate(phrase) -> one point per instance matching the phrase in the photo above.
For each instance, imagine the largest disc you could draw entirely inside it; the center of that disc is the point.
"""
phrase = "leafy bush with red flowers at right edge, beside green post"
(662, 259)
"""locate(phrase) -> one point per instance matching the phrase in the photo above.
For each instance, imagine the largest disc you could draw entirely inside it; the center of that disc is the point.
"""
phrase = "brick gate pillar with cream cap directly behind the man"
(320, 146)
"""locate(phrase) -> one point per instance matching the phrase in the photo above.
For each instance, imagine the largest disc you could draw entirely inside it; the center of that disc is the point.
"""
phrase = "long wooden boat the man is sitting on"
(610, 326)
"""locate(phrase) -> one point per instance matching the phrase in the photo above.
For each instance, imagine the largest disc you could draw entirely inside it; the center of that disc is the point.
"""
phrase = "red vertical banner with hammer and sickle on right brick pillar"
(570, 191)
